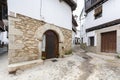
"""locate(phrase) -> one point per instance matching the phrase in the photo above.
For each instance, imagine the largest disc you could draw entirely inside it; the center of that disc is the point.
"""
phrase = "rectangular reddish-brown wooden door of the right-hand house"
(108, 42)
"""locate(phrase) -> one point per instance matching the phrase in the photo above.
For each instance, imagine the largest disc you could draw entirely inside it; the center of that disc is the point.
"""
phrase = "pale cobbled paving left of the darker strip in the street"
(67, 68)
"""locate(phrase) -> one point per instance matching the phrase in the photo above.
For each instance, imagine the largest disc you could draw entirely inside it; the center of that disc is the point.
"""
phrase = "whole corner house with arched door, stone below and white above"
(39, 29)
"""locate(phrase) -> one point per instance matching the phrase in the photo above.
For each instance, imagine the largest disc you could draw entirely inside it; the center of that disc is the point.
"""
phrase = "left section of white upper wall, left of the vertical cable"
(26, 7)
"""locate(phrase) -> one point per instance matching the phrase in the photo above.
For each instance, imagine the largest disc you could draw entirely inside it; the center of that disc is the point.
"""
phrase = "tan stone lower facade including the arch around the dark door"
(25, 38)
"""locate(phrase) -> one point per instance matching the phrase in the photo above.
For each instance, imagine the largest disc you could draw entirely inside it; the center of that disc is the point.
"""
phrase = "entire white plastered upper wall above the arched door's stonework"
(51, 11)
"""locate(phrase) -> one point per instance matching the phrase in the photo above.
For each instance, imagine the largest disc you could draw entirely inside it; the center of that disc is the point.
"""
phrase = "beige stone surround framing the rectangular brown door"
(97, 48)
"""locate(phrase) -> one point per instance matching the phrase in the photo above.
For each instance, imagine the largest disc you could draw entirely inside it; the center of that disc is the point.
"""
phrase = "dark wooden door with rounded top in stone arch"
(51, 44)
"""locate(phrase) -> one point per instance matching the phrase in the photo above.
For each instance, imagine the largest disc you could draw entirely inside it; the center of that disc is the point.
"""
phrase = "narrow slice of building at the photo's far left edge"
(3, 22)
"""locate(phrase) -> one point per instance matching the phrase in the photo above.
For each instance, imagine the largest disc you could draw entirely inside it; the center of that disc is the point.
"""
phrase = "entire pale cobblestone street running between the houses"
(80, 65)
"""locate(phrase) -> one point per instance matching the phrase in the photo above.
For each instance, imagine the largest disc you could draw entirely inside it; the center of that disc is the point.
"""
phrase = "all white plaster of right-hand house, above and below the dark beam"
(110, 12)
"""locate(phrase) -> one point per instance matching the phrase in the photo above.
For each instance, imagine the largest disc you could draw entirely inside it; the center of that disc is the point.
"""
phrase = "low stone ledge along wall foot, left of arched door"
(23, 65)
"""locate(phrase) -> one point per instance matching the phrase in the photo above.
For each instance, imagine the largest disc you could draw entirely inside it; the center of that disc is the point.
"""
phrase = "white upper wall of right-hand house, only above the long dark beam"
(110, 12)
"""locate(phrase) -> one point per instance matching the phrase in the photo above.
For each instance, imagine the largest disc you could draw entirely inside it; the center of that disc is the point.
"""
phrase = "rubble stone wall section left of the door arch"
(22, 44)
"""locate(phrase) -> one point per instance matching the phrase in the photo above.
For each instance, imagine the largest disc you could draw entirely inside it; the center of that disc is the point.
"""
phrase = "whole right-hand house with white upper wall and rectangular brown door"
(101, 28)
